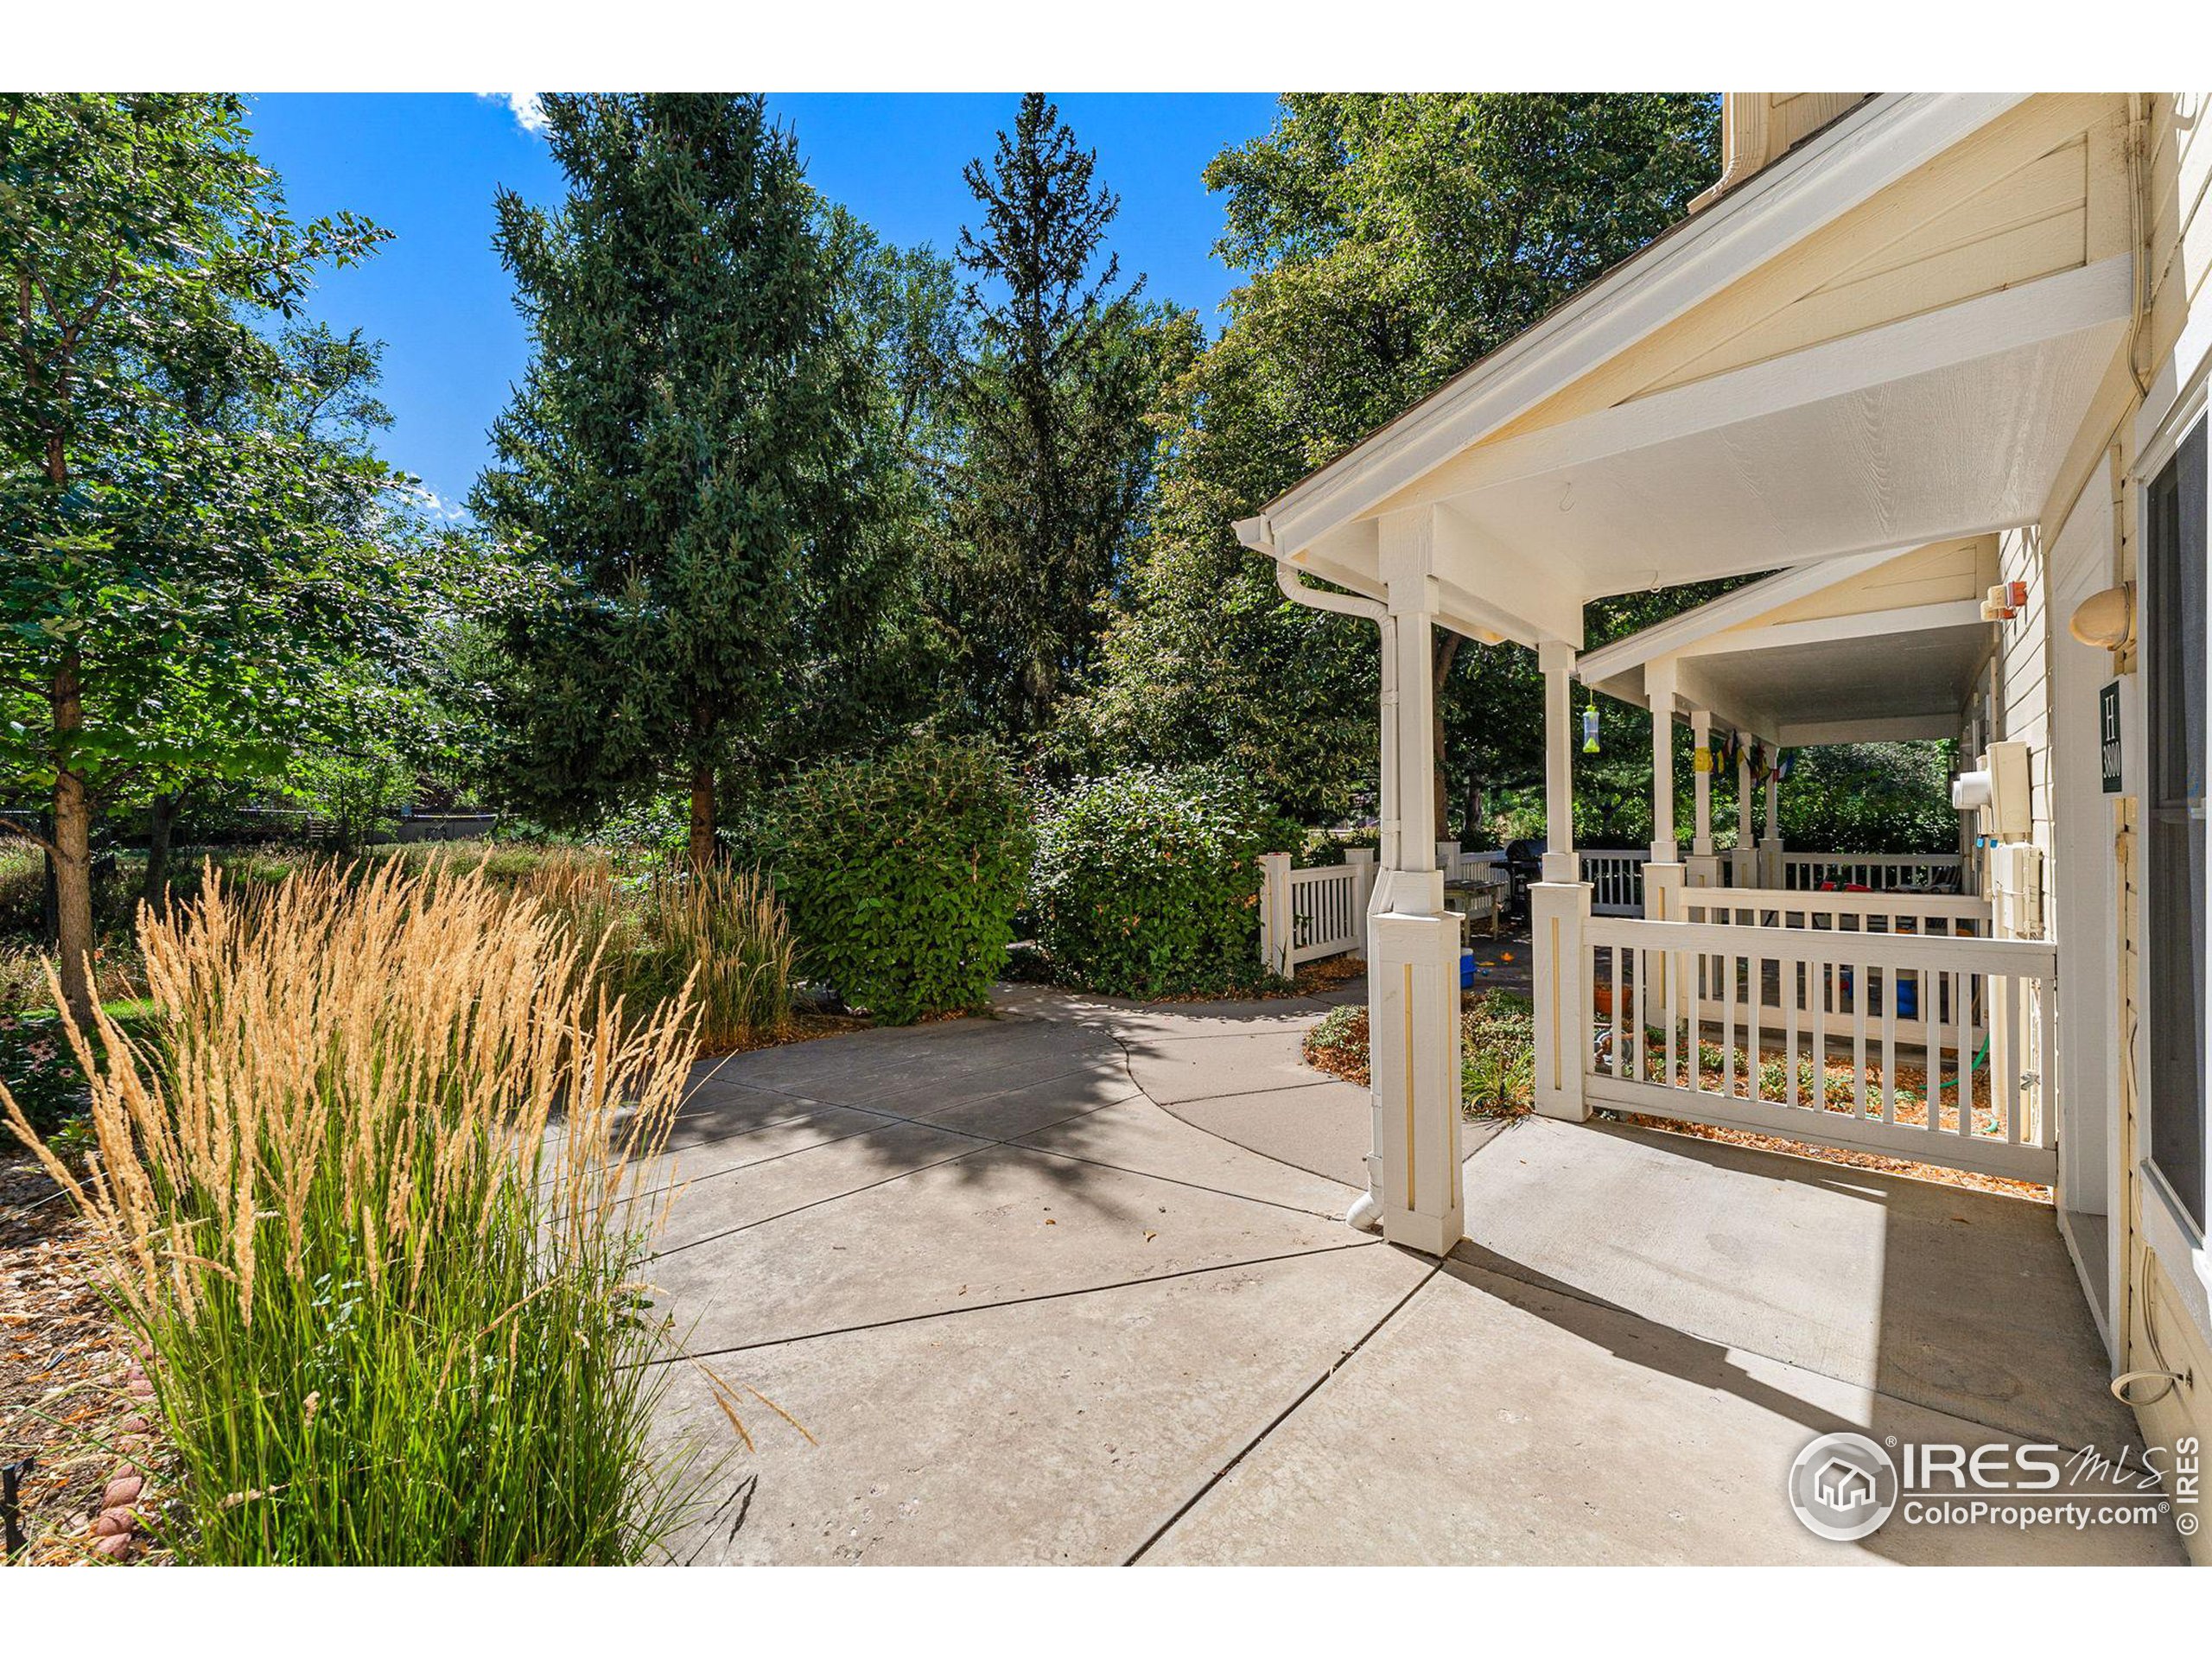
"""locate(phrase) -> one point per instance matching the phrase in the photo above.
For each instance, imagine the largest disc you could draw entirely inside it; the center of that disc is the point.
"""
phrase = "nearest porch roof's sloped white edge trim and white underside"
(1943, 424)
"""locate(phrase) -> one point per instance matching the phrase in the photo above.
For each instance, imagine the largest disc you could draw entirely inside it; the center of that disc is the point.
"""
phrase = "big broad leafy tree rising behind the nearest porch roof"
(1390, 242)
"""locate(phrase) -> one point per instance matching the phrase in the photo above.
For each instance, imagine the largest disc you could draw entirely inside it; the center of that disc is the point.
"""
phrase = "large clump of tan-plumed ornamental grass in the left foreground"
(371, 1202)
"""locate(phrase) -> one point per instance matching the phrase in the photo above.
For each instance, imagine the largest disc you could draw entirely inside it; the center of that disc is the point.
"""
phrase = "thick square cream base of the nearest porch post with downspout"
(1415, 1061)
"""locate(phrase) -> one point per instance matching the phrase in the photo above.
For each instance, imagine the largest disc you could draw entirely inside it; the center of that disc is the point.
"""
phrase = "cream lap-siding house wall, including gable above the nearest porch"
(2056, 185)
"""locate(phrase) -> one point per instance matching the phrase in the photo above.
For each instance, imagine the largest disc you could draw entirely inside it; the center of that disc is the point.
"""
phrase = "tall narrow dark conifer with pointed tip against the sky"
(1054, 408)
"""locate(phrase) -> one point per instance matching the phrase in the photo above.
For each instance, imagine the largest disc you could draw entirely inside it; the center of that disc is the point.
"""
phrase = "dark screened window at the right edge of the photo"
(2176, 815)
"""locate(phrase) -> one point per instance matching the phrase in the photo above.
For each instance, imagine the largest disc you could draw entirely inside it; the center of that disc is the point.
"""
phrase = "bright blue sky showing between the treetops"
(426, 167)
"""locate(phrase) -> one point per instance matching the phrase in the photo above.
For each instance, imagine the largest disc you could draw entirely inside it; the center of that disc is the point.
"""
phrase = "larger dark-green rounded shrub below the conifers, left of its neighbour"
(901, 875)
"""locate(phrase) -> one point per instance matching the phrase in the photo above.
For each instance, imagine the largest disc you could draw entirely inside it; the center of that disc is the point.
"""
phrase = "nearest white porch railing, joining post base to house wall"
(1934, 1050)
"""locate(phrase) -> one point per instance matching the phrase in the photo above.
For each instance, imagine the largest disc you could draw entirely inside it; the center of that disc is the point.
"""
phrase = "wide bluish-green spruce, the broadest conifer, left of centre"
(689, 459)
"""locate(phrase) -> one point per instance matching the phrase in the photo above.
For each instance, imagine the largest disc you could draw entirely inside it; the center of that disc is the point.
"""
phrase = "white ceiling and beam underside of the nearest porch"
(1943, 426)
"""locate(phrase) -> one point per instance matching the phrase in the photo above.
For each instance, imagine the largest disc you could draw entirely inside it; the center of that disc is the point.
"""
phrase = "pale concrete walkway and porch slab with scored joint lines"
(1036, 1304)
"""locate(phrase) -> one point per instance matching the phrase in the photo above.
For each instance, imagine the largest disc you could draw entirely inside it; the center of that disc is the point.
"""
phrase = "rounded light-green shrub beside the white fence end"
(1147, 884)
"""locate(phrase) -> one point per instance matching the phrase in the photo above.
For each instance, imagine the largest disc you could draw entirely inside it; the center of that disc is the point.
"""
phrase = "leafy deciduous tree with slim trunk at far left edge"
(165, 556)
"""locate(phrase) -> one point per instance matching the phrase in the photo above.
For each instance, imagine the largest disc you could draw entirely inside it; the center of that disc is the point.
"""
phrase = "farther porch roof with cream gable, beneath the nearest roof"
(1866, 649)
